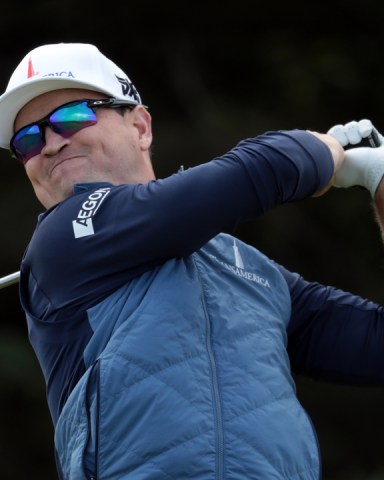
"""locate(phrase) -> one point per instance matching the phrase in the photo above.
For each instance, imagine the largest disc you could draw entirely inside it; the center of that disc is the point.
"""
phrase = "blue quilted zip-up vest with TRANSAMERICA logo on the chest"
(188, 378)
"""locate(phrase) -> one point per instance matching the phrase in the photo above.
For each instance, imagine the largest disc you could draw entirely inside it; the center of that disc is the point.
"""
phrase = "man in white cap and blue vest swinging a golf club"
(166, 343)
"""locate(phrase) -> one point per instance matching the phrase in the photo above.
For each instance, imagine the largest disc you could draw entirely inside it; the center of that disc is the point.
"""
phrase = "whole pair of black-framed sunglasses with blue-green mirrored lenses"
(64, 120)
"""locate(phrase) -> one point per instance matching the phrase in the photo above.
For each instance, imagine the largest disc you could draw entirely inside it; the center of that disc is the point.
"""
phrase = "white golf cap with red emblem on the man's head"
(56, 66)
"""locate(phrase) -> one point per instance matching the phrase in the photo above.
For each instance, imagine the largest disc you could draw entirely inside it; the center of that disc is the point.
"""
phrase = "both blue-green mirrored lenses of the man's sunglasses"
(66, 120)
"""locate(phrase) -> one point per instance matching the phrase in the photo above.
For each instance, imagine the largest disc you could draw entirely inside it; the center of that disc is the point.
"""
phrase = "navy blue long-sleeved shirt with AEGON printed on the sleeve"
(101, 237)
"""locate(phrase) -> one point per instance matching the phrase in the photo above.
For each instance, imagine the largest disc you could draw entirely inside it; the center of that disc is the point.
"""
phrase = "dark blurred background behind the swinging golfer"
(213, 73)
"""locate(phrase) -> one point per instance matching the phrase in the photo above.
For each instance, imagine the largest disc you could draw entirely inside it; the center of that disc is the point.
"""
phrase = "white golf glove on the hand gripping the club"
(364, 164)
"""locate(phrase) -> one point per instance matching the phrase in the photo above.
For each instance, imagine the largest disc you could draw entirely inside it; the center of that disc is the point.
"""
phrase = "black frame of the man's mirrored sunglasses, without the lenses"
(45, 121)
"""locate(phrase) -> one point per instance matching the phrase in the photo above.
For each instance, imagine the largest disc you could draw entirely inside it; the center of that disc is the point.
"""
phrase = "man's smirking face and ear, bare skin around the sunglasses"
(114, 148)
